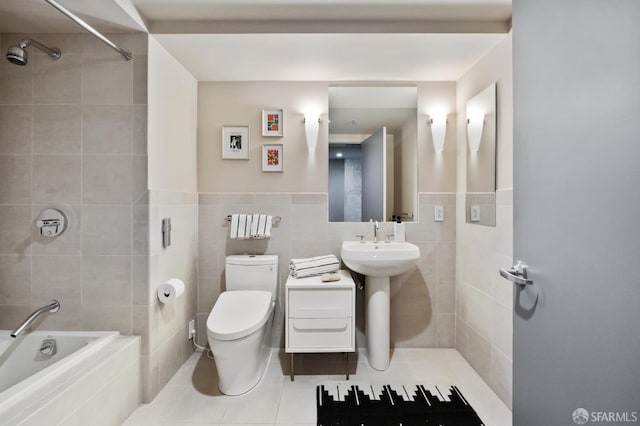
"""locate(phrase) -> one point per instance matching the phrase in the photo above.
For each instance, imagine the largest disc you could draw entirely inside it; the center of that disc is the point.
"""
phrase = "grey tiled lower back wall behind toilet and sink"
(422, 300)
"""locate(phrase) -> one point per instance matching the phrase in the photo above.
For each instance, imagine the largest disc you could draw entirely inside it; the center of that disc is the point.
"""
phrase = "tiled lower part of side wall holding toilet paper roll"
(164, 327)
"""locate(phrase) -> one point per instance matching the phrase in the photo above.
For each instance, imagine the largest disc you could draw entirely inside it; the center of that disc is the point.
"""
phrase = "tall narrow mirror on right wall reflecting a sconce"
(480, 207)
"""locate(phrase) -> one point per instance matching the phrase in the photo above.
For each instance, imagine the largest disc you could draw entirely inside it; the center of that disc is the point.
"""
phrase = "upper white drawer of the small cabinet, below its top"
(314, 303)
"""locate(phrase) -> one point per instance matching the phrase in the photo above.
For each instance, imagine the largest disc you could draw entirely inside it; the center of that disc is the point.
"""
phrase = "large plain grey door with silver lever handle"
(576, 209)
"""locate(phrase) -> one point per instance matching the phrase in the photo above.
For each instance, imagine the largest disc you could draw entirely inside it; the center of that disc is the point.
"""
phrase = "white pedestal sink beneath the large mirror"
(378, 261)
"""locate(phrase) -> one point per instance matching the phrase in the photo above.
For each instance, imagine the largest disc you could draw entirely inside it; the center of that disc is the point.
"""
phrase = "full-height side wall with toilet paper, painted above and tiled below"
(172, 148)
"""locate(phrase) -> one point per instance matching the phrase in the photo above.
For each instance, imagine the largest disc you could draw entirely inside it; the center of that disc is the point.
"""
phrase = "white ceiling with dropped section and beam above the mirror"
(293, 40)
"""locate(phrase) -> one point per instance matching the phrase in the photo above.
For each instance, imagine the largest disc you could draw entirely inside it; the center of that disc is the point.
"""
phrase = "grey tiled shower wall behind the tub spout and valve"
(73, 137)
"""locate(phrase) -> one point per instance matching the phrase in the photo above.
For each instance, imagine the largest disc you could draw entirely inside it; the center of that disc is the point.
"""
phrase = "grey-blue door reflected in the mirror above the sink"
(374, 189)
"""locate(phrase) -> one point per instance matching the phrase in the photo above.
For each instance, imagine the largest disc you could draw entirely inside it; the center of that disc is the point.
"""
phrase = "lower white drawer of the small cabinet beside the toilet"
(321, 334)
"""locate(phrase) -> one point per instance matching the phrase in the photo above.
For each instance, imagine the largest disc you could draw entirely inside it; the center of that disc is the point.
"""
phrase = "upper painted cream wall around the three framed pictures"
(240, 103)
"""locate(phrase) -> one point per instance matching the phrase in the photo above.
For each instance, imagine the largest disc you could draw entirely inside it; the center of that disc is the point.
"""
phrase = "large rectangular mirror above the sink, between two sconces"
(372, 153)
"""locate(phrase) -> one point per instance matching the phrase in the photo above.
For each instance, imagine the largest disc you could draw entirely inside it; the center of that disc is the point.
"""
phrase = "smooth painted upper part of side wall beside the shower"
(172, 127)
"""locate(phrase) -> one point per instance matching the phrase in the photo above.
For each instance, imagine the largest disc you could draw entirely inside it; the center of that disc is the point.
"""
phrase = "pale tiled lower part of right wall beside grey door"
(484, 324)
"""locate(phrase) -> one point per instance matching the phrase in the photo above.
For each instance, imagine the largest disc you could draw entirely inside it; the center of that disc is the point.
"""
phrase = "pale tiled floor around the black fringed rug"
(192, 397)
